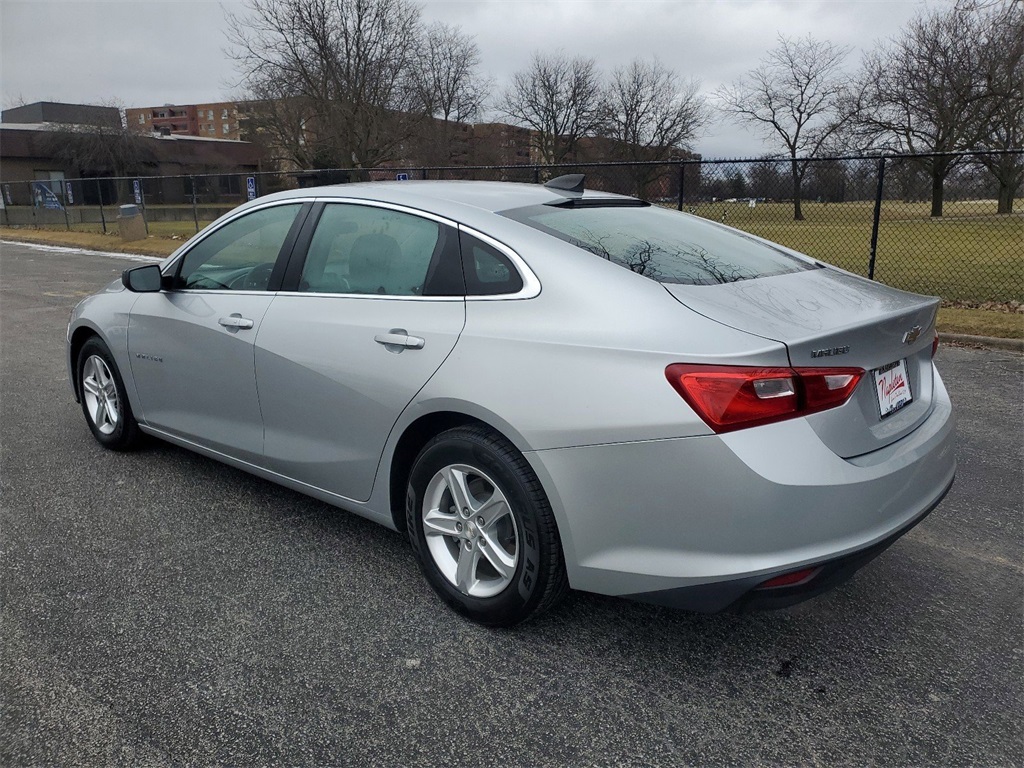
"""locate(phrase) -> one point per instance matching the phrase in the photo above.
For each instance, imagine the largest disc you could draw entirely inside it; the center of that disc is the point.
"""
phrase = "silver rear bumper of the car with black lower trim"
(700, 523)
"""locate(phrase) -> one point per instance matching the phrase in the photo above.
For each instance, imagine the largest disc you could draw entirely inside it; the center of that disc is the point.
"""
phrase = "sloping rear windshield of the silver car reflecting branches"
(660, 244)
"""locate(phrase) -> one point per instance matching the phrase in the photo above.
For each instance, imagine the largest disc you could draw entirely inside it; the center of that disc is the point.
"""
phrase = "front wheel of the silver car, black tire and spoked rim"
(104, 401)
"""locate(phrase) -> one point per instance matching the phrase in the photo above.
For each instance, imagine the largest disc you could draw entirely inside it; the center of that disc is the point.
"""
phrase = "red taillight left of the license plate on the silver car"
(730, 398)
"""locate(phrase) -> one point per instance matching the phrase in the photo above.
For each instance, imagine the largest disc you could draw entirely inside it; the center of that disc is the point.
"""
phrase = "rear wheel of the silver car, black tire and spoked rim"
(505, 571)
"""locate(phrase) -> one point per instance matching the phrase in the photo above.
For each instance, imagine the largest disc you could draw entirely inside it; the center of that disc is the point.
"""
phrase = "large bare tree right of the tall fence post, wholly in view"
(925, 92)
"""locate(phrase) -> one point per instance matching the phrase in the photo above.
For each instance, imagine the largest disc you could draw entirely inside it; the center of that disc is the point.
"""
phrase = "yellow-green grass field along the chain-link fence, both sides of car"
(971, 255)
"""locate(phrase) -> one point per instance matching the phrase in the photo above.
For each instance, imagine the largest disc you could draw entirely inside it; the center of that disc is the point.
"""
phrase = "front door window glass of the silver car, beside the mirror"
(241, 255)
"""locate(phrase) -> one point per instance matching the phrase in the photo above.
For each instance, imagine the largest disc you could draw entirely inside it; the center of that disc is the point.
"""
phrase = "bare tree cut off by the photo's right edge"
(1005, 75)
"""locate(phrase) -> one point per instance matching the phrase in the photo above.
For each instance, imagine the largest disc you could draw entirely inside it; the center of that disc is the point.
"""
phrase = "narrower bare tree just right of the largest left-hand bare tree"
(452, 91)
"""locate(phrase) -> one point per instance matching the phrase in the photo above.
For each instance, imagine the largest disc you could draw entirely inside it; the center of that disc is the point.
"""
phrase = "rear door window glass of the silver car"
(368, 250)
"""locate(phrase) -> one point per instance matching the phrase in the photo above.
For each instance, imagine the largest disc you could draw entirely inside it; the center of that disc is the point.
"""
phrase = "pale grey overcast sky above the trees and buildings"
(149, 53)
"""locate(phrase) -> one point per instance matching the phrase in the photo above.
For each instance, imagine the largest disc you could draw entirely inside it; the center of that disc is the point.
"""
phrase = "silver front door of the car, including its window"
(192, 347)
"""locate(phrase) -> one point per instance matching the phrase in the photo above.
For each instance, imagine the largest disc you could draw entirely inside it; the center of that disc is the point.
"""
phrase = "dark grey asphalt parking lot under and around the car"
(161, 609)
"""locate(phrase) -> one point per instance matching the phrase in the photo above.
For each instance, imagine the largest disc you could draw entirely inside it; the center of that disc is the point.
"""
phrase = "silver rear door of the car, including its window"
(376, 306)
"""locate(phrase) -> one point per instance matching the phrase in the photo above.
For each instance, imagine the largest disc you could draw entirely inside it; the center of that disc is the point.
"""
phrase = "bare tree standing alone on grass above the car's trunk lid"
(795, 98)
